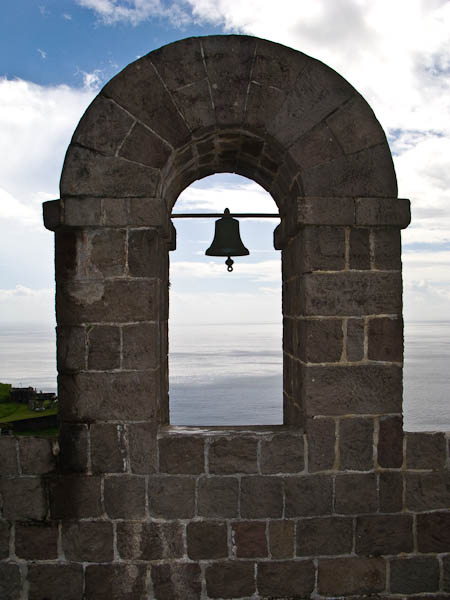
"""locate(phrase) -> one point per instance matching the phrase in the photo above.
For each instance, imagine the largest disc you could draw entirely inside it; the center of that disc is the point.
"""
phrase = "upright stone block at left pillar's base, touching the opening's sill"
(142, 446)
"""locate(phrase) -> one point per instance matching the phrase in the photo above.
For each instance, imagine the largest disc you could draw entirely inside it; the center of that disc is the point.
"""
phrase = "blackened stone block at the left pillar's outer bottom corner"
(73, 444)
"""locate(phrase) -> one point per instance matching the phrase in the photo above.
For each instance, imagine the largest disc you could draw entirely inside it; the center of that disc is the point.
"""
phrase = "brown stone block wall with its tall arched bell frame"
(338, 502)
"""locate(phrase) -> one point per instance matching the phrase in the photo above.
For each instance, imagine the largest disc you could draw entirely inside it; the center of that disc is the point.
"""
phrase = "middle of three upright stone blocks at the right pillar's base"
(356, 444)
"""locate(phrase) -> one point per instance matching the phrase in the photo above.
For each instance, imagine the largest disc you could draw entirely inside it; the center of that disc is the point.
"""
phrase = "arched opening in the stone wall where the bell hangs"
(225, 328)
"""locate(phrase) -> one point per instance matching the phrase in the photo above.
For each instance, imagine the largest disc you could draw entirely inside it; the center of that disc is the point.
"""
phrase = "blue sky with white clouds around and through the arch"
(55, 55)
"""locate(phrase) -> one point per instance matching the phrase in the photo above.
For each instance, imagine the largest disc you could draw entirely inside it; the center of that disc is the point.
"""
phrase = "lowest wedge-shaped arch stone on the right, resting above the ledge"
(367, 173)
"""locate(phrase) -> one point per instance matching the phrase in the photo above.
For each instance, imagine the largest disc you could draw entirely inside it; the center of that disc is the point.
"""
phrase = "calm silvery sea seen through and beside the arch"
(223, 370)
